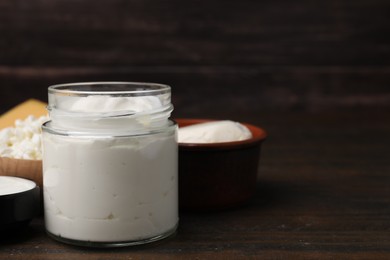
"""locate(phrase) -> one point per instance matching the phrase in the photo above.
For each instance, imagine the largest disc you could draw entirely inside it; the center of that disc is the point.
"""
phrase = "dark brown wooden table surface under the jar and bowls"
(323, 193)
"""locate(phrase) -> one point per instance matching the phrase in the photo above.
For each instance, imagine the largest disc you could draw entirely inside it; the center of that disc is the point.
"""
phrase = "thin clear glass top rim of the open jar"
(124, 88)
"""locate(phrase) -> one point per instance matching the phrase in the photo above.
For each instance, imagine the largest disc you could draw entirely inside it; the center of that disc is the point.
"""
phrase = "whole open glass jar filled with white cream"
(110, 164)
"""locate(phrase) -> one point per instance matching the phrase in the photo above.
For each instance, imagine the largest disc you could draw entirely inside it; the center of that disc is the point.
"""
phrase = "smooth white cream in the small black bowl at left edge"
(12, 185)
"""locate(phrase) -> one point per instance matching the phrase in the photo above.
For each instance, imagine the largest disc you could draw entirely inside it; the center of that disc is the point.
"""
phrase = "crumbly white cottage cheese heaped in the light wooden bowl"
(24, 140)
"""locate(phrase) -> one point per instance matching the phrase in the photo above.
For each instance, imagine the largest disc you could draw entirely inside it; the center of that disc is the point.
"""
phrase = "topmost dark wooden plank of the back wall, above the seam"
(135, 32)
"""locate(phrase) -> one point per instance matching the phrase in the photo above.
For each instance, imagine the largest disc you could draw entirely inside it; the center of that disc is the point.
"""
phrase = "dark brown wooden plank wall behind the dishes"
(277, 55)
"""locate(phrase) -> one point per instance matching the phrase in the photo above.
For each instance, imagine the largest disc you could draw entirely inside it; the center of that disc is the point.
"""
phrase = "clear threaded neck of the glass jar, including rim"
(109, 106)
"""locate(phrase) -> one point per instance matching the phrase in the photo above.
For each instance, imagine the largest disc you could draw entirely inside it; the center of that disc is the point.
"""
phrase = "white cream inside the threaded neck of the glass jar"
(102, 112)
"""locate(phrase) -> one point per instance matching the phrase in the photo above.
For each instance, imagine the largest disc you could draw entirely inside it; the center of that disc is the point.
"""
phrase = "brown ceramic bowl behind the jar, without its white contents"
(217, 176)
